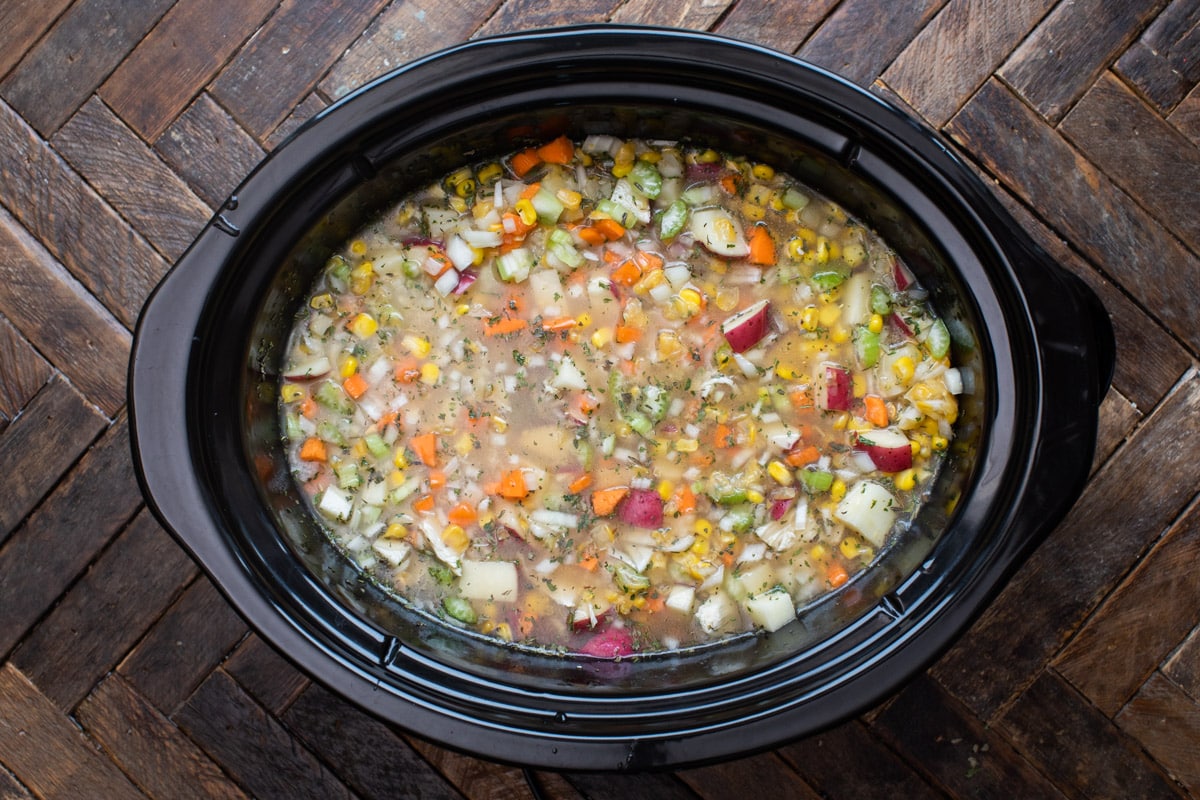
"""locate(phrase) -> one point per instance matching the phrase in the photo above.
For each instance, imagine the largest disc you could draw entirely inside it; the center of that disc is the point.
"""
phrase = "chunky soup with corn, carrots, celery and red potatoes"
(616, 396)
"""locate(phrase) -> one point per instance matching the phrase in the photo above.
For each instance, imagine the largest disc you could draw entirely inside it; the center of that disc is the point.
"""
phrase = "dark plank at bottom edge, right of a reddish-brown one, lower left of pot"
(253, 747)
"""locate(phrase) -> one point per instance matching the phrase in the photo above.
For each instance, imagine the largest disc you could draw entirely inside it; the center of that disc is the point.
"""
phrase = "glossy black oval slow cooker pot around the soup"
(1035, 347)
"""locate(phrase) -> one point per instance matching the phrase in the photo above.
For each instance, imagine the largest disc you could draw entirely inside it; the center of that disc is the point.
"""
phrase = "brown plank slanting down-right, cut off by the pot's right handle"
(1150, 360)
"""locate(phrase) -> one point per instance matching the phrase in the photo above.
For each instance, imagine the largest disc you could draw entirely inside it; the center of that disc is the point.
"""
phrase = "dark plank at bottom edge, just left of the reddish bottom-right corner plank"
(1101, 762)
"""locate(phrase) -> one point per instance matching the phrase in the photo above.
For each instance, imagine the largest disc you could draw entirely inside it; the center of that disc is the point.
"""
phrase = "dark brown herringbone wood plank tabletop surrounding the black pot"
(125, 675)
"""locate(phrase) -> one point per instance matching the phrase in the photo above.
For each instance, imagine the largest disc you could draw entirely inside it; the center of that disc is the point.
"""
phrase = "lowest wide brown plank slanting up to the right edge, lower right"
(1121, 645)
